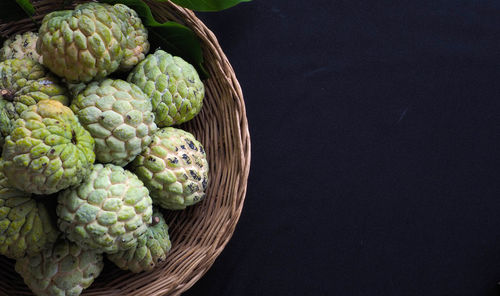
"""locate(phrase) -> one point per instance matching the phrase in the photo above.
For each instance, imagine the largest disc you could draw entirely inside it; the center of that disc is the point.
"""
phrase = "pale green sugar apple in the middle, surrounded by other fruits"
(119, 117)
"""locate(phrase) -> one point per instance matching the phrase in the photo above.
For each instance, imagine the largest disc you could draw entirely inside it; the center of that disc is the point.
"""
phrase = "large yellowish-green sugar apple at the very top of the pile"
(82, 44)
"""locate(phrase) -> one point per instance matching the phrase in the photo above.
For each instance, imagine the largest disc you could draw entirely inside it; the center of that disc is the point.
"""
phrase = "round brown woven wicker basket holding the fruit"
(200, 233)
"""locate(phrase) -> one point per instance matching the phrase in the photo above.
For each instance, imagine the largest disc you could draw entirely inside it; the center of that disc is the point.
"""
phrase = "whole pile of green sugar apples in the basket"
(103, 148)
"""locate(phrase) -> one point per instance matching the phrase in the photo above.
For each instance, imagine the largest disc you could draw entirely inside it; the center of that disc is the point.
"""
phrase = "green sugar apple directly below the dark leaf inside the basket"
(172, 84)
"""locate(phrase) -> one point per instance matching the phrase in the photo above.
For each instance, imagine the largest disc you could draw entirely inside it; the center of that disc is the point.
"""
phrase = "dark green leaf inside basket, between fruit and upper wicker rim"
(172, 37)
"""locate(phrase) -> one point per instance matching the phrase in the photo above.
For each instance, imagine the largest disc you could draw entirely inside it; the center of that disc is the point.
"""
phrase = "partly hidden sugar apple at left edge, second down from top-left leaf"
(17, 73)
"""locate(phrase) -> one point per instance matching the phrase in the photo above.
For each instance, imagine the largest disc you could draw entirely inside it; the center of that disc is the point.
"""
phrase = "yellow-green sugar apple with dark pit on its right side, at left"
(48, 150)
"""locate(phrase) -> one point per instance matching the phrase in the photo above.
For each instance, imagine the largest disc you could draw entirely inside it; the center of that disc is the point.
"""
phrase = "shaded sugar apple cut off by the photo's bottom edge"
(65, 269)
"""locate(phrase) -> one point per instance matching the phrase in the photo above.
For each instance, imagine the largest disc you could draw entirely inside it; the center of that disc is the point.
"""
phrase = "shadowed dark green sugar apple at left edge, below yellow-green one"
(25, 225)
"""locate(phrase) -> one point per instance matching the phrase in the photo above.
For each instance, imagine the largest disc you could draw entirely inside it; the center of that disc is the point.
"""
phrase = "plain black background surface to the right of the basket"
(375, 148)
